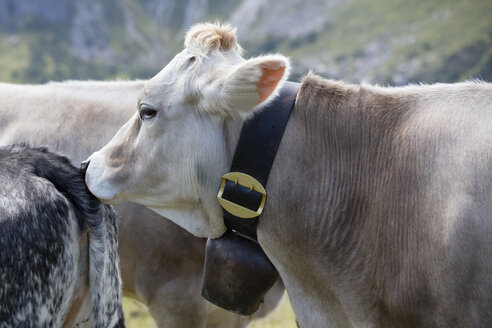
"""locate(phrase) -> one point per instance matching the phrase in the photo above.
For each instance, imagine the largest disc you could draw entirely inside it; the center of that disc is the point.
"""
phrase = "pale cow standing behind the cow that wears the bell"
(161, 263)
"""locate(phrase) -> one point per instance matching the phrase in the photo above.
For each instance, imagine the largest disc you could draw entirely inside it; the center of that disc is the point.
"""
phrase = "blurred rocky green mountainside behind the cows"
(392, 42)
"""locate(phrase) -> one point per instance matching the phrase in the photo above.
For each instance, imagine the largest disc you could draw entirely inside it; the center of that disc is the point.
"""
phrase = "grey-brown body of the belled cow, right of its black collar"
(397, 227)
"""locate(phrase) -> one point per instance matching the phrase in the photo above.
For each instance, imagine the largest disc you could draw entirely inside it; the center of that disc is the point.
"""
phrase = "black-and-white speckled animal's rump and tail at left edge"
(58, 245)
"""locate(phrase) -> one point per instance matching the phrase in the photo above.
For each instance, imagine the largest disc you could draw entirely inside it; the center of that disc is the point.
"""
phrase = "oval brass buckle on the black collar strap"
(245, 181)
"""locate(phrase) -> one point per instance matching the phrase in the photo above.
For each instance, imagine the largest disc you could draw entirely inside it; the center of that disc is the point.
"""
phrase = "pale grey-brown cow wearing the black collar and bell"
(379, 201)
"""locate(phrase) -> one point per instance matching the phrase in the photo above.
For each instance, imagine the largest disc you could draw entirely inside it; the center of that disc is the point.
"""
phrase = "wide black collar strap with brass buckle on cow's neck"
(242, 192)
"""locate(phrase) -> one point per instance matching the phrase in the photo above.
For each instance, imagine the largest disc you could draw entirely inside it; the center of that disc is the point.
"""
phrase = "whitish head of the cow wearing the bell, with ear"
(171, 154)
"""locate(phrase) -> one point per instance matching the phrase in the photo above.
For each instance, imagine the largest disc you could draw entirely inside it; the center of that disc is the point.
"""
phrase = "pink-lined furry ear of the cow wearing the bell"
(254, 82)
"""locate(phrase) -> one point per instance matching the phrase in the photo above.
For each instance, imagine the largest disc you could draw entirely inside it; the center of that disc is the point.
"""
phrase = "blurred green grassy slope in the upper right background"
(450, 40)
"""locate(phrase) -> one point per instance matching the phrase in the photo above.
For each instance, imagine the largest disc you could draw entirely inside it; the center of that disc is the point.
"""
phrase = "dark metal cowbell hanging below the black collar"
(237, 274)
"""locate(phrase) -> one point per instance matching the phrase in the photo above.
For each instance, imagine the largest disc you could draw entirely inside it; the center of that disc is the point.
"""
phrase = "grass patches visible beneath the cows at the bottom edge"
(137, 316)
